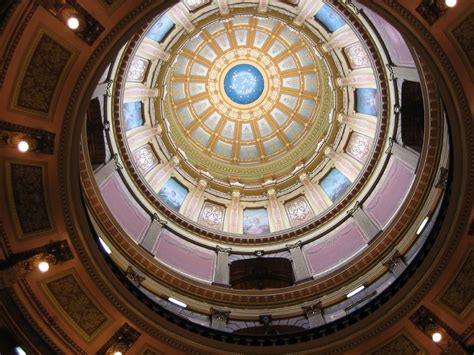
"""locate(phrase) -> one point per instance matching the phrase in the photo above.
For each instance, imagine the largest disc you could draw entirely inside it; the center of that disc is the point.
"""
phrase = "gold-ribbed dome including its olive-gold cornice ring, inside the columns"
(243, 98)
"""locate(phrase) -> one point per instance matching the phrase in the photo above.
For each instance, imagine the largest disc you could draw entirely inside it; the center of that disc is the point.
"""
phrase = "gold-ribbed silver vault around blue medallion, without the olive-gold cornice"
(244, 91)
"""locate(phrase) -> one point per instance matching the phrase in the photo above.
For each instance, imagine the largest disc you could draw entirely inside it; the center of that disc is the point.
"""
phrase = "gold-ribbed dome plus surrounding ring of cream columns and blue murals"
(249, 102)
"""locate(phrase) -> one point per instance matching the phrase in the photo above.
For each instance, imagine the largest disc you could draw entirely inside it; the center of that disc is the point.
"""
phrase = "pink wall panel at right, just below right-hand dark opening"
(390, 192)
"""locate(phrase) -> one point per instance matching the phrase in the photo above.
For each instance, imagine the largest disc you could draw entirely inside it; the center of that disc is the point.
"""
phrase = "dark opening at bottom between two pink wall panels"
(261, 273)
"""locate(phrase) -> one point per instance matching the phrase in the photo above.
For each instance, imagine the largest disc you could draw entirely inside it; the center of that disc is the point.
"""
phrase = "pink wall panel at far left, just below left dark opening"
(128, 213)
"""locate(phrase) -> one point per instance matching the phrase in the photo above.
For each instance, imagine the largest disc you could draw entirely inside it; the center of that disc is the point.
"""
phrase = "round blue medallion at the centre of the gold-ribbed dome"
(243, 84)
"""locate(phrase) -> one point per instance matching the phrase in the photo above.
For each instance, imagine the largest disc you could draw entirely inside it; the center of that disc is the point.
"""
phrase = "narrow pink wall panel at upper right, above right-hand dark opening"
(396, 45)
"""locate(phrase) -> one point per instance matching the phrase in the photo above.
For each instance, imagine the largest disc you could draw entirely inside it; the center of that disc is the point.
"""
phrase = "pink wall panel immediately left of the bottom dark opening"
(185, 257)
